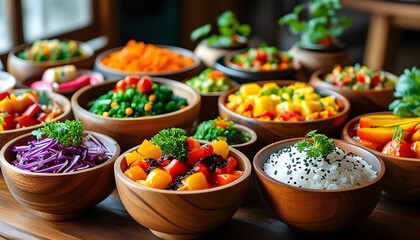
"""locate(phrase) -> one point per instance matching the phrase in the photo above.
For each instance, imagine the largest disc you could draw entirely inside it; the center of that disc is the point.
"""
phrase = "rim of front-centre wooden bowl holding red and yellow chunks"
(138, 187)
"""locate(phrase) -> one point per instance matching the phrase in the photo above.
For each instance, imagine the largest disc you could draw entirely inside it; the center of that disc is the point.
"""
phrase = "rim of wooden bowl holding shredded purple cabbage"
(7, 164)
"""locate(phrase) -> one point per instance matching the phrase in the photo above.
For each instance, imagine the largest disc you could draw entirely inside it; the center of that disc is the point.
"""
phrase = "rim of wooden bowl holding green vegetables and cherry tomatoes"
(163, 81)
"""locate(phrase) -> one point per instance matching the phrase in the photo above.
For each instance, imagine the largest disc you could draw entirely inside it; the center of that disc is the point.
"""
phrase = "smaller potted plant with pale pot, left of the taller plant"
(232, 36)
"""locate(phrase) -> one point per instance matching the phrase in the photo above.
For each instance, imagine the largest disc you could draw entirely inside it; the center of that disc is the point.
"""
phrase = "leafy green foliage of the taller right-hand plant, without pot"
(316, 22)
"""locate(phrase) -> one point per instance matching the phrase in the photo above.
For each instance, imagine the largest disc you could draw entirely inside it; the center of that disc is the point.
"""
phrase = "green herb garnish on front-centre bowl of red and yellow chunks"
(172, 141)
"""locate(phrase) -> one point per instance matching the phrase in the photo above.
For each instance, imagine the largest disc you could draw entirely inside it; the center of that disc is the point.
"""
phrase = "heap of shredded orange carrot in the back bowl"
(147, 58)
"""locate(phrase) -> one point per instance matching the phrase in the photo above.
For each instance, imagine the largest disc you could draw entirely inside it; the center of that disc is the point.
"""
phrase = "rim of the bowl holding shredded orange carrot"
(178, 50)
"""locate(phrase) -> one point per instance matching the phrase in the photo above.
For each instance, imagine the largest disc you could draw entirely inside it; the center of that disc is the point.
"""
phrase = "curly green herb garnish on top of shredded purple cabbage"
(67, 133)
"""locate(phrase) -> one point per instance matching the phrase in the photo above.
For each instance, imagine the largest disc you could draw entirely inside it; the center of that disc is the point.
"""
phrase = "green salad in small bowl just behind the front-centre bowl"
(220, 129)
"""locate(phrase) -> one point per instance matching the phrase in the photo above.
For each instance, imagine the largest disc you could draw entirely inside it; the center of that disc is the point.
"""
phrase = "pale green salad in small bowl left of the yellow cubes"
(210, 80)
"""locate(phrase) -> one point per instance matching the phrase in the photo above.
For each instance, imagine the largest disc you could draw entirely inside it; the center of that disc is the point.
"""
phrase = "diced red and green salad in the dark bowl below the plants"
(264, 58)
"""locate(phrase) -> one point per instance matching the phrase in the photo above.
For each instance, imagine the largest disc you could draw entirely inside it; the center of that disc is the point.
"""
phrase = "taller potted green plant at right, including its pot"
(319, 26)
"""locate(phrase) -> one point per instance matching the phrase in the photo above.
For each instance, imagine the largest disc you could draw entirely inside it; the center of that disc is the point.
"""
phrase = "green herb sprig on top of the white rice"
(320, 146)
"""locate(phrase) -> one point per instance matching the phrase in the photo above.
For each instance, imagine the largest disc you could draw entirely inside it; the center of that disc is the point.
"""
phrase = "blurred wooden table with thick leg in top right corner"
(386, 18)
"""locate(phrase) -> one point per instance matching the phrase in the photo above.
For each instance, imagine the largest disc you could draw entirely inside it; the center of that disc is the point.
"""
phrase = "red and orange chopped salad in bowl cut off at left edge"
(25, 109)
